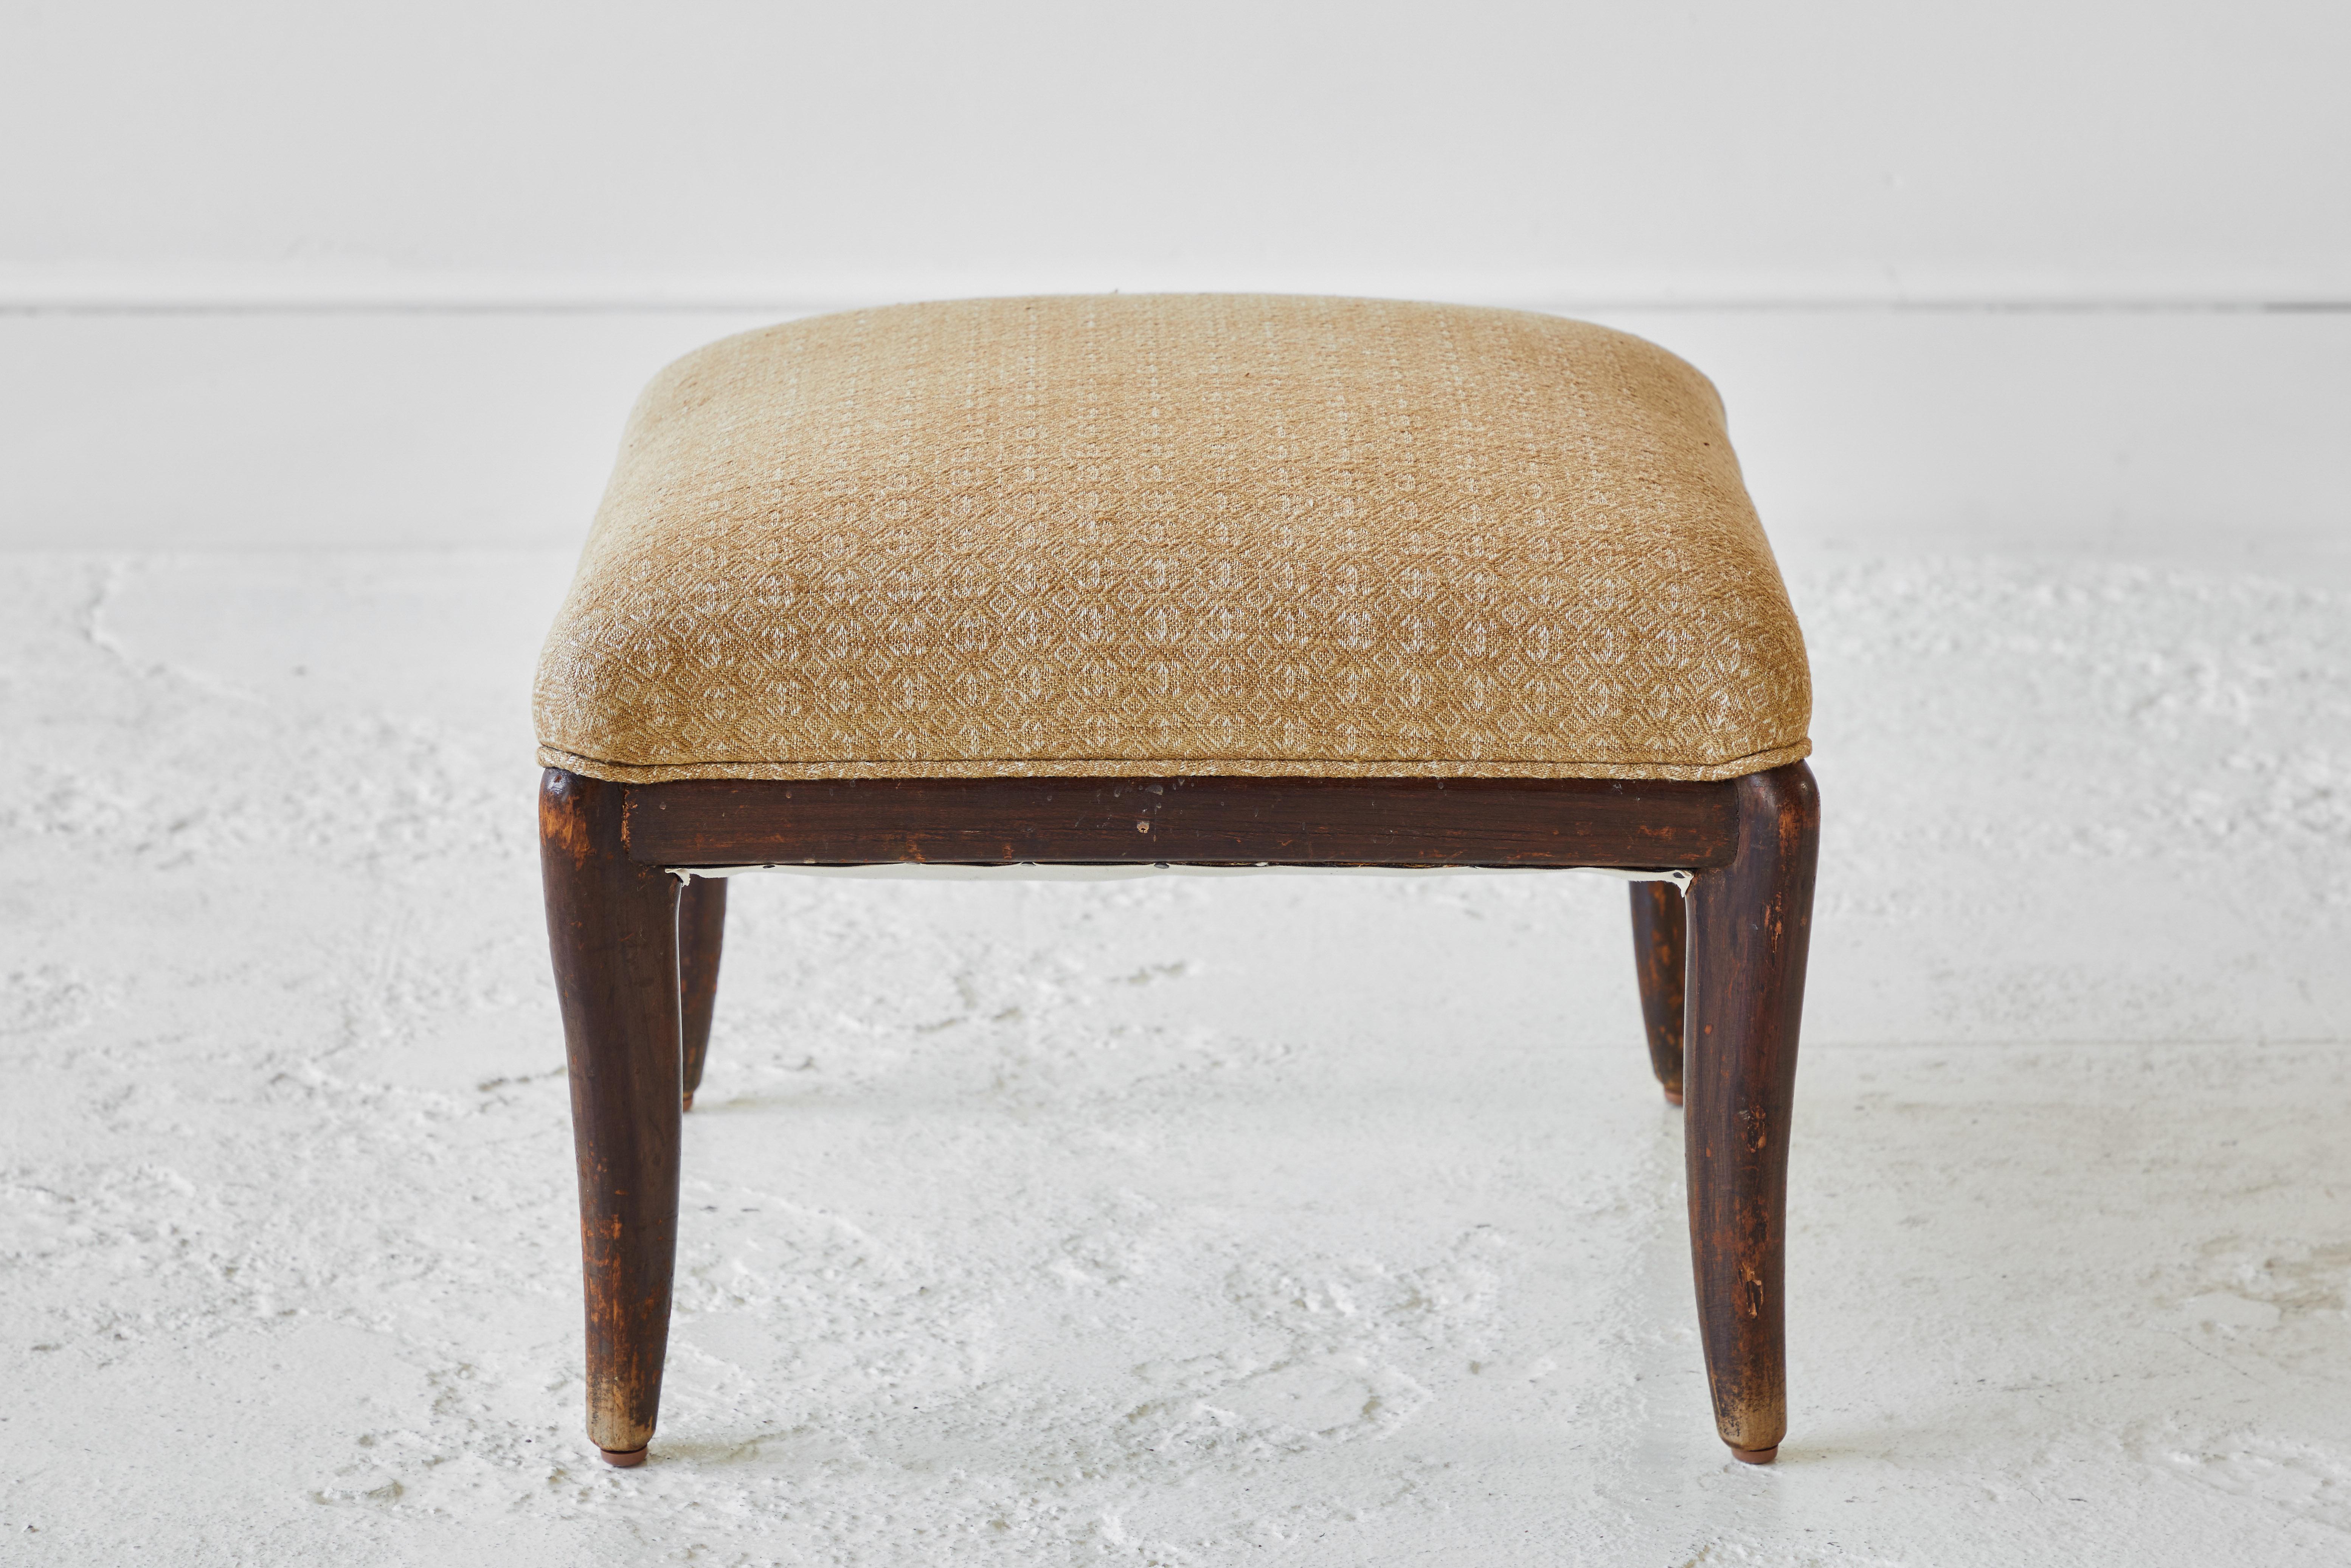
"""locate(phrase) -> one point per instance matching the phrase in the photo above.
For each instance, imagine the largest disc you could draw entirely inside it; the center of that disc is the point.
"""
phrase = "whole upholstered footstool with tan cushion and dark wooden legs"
(1179, 582)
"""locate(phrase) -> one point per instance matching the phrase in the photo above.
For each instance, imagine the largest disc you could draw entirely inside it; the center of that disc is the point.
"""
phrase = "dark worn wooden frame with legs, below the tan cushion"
(1722, 979)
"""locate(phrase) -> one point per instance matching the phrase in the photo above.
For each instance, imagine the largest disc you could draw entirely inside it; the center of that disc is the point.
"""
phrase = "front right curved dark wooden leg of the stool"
(1748, 927)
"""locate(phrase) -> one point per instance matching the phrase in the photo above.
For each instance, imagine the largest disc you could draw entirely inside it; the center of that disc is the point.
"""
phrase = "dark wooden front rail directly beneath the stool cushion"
(1207, 822)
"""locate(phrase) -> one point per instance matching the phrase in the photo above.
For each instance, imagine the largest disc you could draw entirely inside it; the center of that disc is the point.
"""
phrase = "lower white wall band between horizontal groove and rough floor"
(2117, 434)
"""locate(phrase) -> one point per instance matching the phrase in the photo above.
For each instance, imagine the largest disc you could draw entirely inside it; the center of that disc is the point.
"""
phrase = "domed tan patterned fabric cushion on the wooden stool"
(1177, 535)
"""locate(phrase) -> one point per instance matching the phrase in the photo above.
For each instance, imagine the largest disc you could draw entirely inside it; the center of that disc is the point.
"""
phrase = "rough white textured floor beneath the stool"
(1193, 1221)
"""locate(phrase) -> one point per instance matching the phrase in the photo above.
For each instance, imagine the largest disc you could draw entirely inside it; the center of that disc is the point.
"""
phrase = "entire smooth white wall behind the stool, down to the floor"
(293, 274)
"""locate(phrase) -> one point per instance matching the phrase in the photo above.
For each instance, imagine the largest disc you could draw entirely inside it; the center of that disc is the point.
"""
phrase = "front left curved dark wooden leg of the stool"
(612, 925)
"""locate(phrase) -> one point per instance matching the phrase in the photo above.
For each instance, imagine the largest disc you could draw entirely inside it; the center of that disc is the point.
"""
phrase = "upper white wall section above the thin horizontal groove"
(1527, 149)
